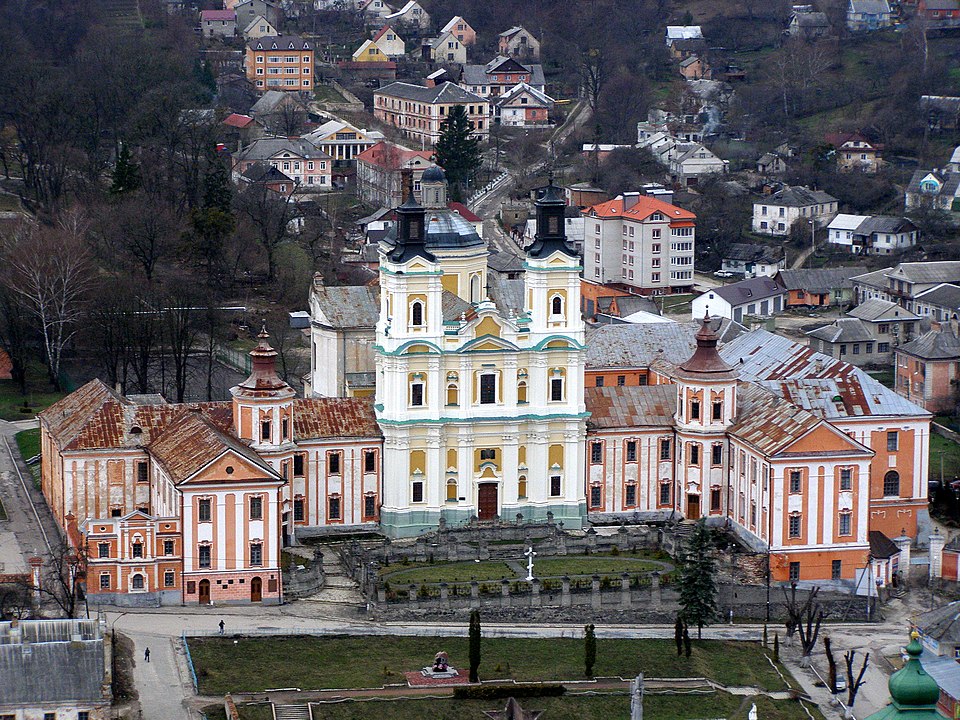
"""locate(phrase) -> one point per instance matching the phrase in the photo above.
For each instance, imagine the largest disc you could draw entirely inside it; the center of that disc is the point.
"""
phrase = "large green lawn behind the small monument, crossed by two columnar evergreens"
(310, 663)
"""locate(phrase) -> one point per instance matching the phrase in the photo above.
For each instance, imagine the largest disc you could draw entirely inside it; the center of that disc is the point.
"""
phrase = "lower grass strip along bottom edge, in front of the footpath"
(582, 707)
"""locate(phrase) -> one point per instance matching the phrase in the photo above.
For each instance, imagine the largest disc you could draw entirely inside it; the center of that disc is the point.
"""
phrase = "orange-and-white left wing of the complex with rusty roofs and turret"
(155, 496)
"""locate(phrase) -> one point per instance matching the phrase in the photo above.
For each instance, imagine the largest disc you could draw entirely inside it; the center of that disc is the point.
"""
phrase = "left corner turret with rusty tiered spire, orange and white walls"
(263, 403)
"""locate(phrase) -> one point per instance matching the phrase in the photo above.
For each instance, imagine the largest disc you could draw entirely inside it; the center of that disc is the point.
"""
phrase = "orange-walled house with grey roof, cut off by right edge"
(928, 369)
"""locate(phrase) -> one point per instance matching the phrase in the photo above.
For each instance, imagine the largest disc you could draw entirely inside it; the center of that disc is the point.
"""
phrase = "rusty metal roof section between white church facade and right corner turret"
(631, 406)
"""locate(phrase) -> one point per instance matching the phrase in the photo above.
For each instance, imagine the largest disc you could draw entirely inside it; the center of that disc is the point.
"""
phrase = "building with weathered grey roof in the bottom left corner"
(56, 669)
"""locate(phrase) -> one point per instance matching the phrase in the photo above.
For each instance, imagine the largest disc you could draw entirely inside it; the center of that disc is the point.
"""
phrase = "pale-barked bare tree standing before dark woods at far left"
(50, 270)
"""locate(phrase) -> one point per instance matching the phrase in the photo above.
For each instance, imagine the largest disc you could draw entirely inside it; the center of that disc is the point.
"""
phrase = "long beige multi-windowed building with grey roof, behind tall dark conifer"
(419, 112)
